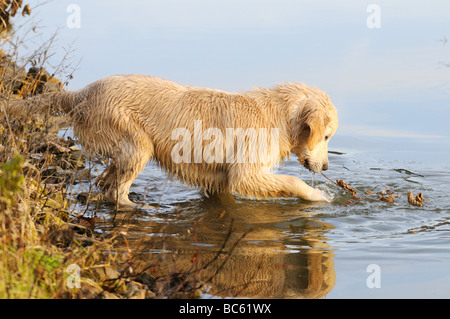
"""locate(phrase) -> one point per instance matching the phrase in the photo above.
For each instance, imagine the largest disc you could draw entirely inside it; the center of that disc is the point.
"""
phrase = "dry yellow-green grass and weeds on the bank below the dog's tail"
(39, 235)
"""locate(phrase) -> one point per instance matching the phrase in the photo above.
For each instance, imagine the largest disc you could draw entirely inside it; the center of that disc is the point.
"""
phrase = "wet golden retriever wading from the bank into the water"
(218, 141)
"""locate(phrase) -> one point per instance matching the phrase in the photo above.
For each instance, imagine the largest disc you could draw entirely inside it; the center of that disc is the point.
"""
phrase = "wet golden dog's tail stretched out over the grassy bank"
(54, 103)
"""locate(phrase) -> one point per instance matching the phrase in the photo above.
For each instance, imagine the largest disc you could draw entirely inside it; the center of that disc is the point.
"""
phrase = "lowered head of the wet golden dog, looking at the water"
(313, 121)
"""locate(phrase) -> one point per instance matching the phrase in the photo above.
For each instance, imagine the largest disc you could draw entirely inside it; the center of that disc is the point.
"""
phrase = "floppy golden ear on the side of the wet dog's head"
(314, 122)
